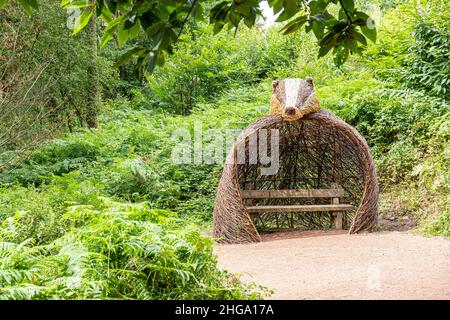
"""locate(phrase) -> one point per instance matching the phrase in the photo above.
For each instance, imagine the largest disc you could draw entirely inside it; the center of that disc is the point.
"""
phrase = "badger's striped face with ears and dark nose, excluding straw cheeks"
(292, 95)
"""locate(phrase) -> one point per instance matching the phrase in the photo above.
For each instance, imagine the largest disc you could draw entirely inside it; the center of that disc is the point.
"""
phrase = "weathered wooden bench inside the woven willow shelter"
(334, 194)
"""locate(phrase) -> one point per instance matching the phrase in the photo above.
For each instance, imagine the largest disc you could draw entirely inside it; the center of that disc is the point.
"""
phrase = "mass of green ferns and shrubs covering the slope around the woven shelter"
(104, 212)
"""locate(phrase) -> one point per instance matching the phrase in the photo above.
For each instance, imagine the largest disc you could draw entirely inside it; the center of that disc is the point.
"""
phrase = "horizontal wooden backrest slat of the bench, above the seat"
(299, 193)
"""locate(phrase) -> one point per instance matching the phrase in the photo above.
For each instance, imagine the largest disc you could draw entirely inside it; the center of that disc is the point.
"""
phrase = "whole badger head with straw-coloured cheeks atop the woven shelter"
(293, 98)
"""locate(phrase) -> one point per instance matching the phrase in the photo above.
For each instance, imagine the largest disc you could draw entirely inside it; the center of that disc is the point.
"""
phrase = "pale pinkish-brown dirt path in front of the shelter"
(319, 265)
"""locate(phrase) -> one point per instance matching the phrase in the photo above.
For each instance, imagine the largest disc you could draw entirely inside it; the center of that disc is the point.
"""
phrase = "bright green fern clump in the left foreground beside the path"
(126, 251)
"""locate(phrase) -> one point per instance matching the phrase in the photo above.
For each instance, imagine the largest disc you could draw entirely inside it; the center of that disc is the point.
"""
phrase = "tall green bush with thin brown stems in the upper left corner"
(50, 79)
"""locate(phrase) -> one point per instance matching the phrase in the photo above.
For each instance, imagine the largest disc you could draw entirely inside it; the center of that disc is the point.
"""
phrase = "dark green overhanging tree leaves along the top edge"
(336, 24)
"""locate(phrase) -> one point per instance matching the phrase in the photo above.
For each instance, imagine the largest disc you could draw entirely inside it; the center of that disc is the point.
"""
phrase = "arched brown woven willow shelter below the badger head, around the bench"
(319, 151)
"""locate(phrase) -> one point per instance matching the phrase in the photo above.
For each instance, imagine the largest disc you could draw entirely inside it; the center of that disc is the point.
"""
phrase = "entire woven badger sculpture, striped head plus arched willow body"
(292, 100)
